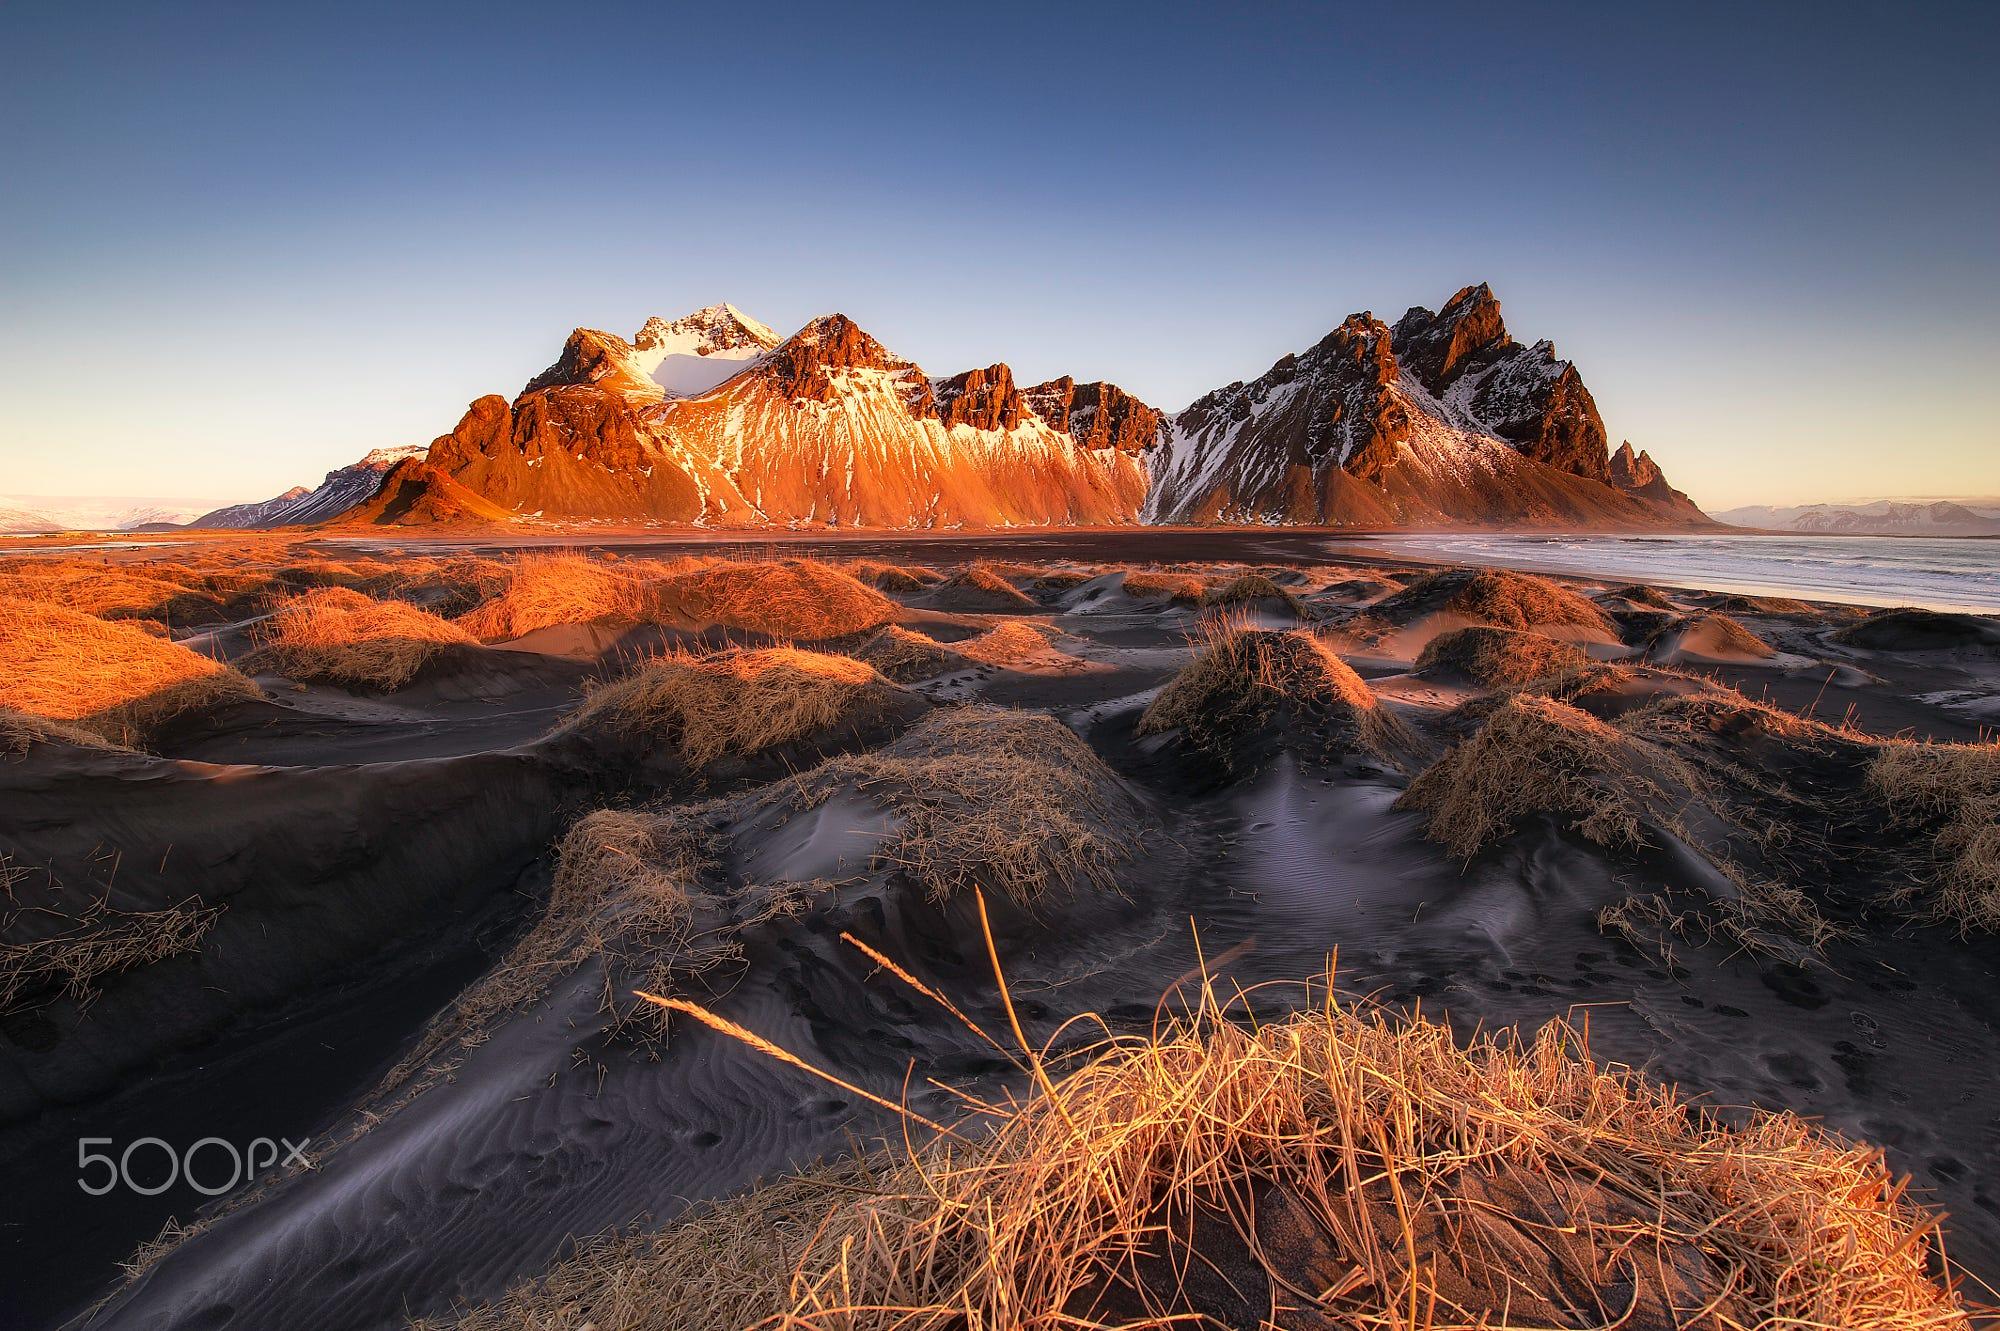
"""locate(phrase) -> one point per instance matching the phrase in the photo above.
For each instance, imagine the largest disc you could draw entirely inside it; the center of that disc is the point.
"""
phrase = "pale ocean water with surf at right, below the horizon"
(1861, 571)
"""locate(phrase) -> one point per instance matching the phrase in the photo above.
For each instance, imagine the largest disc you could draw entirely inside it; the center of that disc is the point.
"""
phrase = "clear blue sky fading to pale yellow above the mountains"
(241, 247)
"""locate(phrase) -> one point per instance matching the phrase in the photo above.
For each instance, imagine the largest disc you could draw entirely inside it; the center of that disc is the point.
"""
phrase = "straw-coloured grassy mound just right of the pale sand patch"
(1543, 756)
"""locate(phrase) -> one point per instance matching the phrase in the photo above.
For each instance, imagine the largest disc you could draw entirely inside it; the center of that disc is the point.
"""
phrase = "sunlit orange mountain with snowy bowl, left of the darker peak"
(825, 429)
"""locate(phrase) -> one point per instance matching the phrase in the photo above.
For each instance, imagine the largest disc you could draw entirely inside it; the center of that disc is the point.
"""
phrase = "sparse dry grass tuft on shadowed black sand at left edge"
(95, 944)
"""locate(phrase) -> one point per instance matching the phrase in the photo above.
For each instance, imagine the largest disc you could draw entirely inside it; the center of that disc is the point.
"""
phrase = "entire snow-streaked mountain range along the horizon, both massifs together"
(1437, 421)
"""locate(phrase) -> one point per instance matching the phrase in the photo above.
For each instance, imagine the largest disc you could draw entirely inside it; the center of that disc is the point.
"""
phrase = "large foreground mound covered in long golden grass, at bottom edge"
(1343, 1168)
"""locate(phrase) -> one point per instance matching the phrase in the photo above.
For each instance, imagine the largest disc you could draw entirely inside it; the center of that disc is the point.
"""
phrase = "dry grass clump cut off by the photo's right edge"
(1951, 792)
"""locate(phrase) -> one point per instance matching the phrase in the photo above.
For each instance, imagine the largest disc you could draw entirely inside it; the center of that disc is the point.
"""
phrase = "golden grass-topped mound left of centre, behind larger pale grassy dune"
(733, 702)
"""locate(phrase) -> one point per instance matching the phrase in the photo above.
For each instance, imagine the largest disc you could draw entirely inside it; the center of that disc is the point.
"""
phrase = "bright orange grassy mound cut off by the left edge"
(115, 680)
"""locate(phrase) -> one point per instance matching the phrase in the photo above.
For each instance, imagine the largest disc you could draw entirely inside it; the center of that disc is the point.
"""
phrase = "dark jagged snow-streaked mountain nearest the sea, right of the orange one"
(1443, 419)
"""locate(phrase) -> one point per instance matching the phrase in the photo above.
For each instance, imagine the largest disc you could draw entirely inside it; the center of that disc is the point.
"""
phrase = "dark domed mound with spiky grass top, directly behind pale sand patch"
(1253, 686)
